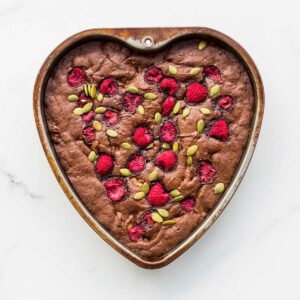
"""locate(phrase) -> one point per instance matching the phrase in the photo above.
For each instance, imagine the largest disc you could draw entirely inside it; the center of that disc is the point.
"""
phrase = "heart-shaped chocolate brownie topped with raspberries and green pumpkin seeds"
(149, 141)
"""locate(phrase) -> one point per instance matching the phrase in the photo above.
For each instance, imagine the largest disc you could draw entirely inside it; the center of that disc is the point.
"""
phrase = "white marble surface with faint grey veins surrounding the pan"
(48, 252)
